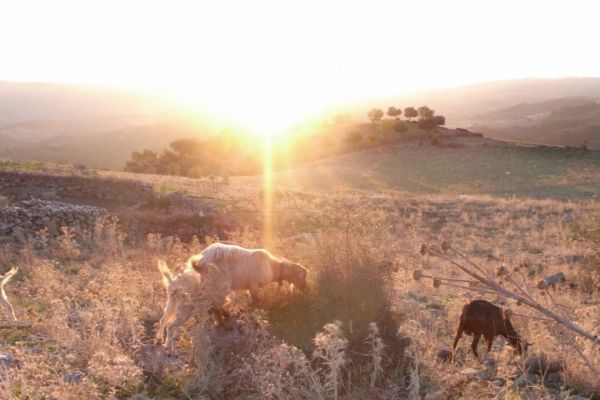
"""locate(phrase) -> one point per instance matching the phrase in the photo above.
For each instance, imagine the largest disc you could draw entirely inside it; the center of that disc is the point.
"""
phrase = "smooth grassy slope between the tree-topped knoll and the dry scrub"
(493, 168)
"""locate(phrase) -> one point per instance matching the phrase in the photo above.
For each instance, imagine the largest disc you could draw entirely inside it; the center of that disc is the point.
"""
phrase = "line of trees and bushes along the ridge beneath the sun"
(228, 153)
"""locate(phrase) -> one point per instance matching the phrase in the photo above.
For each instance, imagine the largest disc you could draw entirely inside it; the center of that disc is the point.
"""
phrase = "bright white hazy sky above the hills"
(294, 56)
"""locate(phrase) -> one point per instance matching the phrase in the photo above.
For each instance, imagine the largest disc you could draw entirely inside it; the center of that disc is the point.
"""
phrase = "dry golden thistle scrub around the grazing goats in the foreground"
(365, 329)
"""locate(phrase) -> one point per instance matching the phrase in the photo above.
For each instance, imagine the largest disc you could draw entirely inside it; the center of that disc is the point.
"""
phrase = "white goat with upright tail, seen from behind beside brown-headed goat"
(182, 294)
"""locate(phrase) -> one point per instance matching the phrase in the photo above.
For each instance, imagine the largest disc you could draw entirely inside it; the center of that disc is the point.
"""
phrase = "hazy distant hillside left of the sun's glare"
(94, 126)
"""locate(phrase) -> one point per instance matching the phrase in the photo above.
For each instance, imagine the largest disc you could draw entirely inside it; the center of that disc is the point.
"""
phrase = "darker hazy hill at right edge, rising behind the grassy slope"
(566, 122)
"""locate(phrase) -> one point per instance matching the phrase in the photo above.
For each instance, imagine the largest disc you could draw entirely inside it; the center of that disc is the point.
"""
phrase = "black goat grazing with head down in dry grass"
(481, 317)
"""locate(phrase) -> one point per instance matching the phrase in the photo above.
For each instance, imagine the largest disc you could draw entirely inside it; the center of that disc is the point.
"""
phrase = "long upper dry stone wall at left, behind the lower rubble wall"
(24, 185)
